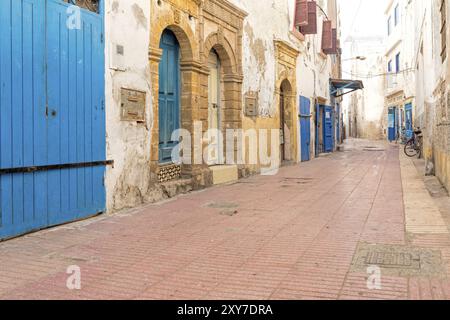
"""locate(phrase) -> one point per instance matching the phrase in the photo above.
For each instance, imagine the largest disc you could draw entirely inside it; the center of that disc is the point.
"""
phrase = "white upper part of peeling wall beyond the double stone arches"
(270, 20)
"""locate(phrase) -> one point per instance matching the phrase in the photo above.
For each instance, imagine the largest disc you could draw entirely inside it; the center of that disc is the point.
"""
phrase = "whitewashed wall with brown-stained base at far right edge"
(433, 86)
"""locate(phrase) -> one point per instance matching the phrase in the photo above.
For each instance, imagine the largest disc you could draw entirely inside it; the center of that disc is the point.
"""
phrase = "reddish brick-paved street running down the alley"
(290, 236)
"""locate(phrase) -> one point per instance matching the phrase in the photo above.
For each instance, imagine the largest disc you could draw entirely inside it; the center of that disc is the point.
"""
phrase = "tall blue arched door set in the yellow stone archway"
(169, 96)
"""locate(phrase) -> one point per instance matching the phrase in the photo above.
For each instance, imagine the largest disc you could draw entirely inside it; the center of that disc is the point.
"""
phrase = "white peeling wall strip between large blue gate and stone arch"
(127, 24)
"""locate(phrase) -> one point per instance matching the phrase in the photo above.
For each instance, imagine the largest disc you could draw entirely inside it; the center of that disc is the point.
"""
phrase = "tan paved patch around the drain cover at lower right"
(397, 260)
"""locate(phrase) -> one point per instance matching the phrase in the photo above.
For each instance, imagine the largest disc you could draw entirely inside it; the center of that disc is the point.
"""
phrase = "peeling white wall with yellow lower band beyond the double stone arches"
(274, 20)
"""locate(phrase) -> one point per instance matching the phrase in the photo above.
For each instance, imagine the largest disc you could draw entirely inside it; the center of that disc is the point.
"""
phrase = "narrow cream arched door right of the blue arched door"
(215, 109)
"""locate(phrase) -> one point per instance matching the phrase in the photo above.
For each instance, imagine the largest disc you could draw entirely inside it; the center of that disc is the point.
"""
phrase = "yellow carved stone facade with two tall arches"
(199, 26)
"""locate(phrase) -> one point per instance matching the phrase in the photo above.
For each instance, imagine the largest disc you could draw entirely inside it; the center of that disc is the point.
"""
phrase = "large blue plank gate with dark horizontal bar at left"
(52, 115)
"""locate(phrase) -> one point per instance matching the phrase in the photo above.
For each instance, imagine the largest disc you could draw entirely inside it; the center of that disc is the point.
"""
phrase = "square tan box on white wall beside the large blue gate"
(132, 105)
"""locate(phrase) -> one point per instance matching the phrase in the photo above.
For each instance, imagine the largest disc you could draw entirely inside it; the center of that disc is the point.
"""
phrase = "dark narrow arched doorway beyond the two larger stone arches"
(285, 122)
